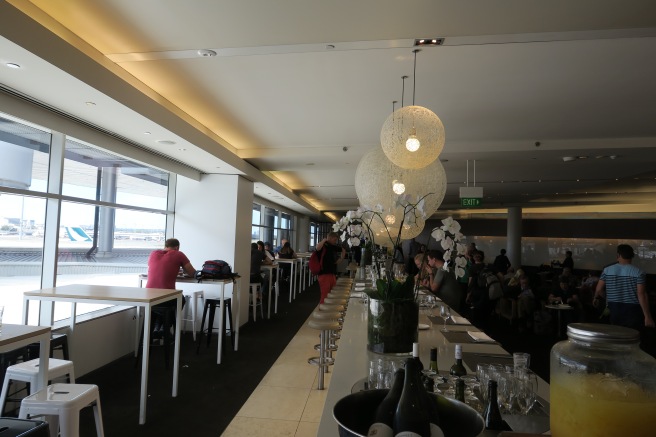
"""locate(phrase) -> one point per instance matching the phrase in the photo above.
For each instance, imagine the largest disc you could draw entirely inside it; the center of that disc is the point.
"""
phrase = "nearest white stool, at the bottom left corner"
(63, 402)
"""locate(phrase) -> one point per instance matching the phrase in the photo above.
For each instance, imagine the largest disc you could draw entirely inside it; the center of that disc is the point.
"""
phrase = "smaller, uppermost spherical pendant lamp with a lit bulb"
(410, 127)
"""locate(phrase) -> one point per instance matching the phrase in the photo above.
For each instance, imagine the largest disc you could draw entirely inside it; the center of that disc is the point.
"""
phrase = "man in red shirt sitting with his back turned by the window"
(163, 268)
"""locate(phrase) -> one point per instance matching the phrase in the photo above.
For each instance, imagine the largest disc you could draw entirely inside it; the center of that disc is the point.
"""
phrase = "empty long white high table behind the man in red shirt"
(142, 298)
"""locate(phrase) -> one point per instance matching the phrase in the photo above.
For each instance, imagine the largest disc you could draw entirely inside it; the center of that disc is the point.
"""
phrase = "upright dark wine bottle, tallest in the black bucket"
(411, 416)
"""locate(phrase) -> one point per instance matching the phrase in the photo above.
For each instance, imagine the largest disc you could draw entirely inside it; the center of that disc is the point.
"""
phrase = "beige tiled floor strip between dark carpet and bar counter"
(286, 403)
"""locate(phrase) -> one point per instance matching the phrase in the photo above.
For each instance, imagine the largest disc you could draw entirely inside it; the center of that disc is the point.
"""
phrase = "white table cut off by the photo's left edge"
(16, 336)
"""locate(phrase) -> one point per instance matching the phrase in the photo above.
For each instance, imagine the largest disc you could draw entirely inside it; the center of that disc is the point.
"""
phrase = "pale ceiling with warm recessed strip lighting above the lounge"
(299, 90)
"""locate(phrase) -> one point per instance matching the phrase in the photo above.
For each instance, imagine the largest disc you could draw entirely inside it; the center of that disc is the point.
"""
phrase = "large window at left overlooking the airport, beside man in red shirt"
(112, 215)
